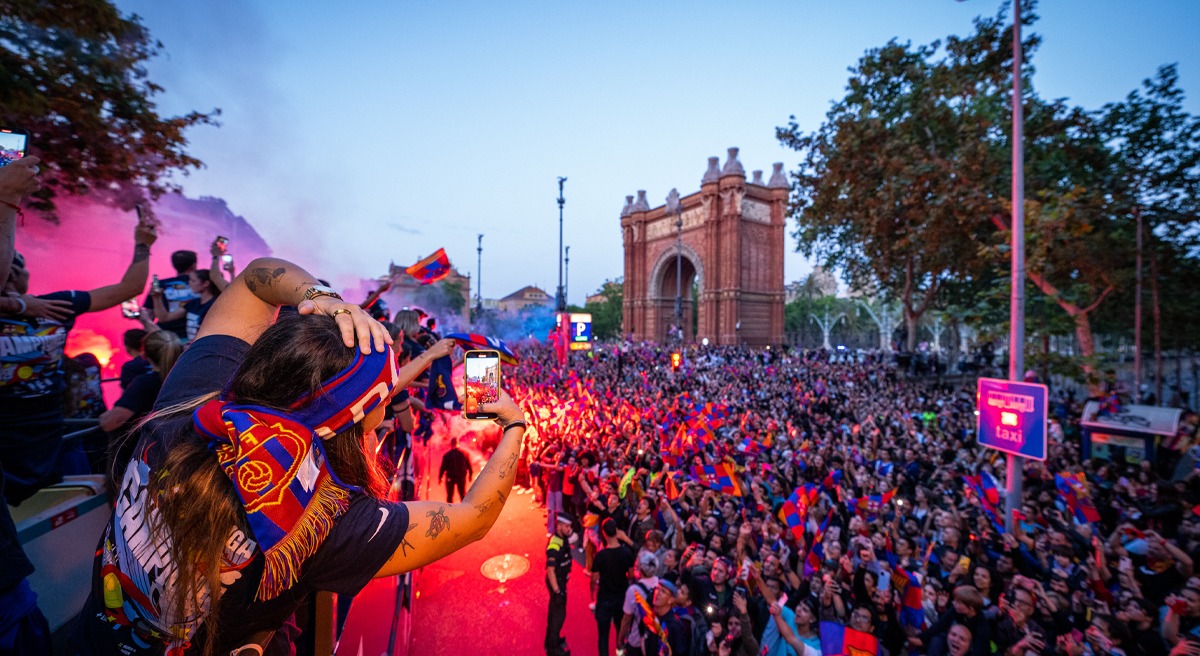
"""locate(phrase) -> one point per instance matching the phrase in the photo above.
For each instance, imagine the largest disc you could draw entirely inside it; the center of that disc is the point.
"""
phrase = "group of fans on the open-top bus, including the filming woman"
(245, 470)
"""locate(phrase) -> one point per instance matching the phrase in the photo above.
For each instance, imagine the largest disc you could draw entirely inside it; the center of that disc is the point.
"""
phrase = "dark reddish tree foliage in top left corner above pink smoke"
(74, 75)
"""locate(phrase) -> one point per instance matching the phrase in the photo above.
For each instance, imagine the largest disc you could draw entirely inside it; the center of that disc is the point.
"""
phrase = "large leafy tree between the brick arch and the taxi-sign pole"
(893, 185)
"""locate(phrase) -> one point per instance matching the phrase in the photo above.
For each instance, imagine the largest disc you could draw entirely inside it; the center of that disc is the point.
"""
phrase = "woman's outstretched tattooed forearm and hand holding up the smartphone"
(440, 529)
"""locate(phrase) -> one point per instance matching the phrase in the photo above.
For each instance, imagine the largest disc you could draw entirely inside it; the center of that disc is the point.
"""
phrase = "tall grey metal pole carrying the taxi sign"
(1017, 311)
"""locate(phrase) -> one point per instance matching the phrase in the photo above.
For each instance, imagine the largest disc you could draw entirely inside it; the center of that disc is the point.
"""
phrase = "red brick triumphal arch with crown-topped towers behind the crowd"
(733, 260)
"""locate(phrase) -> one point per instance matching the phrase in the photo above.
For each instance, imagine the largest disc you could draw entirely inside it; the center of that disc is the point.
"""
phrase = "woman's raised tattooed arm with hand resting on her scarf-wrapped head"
(249, 305)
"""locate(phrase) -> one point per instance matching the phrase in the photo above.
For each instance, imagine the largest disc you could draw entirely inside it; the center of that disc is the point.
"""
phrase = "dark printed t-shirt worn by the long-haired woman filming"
(134, 579)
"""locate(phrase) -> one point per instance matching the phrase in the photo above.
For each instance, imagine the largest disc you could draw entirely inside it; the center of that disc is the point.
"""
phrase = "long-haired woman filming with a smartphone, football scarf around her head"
(254, 484)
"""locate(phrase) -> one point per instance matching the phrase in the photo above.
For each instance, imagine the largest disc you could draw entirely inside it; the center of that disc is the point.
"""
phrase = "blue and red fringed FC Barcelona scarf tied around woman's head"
(279, 468)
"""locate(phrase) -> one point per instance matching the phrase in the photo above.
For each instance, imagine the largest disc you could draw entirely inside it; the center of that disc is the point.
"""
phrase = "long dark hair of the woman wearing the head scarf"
(197, 507)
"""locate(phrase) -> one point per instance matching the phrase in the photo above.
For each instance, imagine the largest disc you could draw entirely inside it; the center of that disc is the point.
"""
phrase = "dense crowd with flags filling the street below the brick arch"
(759, 502)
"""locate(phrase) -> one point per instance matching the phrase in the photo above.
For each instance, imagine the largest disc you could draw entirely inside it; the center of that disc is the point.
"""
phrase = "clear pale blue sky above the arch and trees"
(358, 134)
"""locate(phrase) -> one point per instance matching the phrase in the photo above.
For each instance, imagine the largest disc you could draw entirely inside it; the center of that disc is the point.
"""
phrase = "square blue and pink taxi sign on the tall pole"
(1013, 418)
